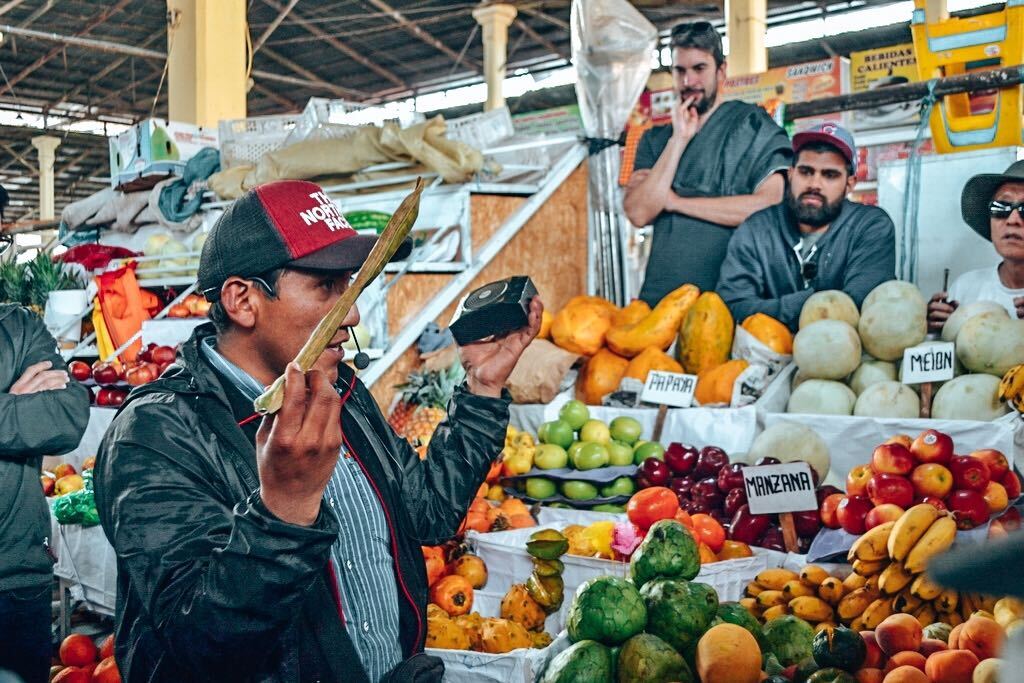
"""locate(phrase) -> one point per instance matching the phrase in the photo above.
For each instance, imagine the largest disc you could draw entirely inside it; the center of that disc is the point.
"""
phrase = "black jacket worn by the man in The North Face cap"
(211, 586)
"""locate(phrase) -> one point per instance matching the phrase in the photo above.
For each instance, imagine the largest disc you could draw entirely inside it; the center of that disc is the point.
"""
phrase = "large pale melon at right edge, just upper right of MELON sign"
(991, 344)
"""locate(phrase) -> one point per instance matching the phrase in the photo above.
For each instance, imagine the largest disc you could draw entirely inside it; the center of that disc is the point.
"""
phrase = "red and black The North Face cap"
(284, 224)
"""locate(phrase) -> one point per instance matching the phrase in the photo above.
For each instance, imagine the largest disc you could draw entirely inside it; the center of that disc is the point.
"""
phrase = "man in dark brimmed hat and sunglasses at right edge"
(993, 205)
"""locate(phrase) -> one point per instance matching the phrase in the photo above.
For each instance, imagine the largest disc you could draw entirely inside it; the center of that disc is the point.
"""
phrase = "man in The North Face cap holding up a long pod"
(288, 548)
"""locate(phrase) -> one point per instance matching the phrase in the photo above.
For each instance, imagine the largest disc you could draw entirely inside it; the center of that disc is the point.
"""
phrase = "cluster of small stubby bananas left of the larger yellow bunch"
(813, 595)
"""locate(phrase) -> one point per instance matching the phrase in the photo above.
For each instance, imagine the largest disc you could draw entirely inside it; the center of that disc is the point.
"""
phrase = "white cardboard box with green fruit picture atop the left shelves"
(153, 150)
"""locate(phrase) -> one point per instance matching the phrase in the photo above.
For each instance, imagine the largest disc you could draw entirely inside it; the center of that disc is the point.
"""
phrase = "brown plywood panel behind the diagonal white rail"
(551, 248)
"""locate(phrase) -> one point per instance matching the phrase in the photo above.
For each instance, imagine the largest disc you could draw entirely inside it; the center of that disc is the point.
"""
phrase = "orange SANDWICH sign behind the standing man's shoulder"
(788, 86)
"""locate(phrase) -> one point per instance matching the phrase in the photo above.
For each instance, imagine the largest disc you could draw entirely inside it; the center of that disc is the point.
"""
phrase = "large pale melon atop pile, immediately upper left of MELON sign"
(890, 326)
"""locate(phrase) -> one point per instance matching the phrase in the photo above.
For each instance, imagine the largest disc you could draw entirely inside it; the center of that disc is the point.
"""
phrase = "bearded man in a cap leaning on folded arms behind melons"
(816, 240)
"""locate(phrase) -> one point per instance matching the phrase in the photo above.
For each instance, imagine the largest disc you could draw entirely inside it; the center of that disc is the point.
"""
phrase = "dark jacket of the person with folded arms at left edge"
(46, 423)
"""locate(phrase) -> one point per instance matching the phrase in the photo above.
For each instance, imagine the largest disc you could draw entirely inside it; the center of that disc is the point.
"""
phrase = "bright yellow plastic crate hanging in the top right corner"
(957, 47)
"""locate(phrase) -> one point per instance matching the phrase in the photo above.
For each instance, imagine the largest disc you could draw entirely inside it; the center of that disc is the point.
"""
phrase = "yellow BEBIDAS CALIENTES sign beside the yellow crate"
(871, 70)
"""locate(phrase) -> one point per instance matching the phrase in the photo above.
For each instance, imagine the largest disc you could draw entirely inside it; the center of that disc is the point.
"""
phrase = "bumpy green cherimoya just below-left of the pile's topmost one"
(608, 610)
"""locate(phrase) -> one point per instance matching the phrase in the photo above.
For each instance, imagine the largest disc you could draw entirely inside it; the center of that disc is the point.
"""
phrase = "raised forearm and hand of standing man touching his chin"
(649, 191)
